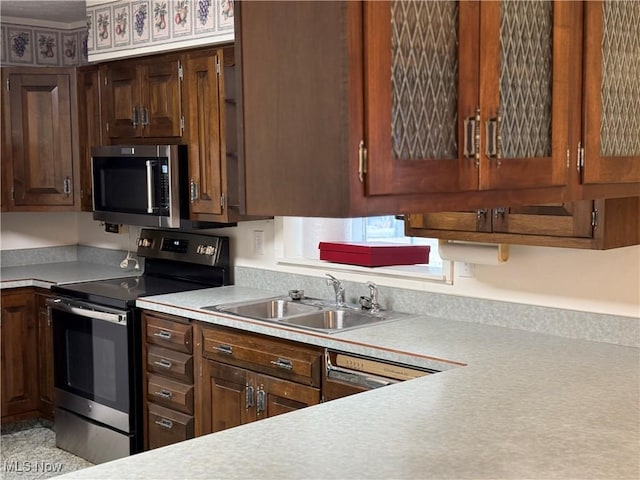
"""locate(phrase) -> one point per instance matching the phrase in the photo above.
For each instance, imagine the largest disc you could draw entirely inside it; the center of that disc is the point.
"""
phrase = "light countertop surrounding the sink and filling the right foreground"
(508, 404)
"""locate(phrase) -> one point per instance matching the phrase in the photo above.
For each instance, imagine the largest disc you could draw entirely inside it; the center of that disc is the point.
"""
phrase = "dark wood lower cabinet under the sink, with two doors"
(243, 377)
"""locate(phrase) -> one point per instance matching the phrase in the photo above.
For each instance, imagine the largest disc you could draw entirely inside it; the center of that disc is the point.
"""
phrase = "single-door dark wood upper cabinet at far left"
(40, 161)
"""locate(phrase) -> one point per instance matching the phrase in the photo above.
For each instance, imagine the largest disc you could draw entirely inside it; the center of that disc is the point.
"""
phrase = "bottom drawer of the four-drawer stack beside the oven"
(167, 426)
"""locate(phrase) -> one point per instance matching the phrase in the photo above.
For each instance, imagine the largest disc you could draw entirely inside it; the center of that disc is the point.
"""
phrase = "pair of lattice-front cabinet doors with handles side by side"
(477, 95)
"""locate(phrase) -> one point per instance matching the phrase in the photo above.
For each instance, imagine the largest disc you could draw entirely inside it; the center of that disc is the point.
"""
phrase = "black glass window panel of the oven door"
(91, 359)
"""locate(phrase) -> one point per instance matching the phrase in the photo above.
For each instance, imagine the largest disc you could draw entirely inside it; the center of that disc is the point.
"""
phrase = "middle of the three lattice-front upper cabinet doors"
(527, 58)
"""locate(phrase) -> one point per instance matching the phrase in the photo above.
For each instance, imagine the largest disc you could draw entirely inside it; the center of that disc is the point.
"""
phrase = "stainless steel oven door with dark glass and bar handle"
(91, 361)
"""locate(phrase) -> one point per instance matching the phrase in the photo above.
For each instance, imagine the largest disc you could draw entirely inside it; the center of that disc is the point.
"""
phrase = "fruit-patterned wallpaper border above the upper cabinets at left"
(119, 29)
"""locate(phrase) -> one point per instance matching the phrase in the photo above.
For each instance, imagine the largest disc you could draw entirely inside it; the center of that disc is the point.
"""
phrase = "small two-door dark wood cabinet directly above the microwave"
(142, 98)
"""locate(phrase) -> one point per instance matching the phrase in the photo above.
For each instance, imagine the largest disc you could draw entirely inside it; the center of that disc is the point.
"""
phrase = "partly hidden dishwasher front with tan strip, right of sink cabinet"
(347, 373)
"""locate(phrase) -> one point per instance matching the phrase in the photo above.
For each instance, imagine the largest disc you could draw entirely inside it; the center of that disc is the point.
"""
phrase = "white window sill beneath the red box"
(407, 272)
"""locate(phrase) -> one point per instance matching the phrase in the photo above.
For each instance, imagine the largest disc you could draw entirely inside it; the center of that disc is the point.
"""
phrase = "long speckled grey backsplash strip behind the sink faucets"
(574, 324)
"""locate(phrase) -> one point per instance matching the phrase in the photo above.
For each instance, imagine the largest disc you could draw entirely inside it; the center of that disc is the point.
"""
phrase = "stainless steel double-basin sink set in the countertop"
(308, 313)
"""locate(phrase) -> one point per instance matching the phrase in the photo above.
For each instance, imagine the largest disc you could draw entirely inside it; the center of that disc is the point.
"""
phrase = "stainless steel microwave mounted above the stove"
(140, 184)
